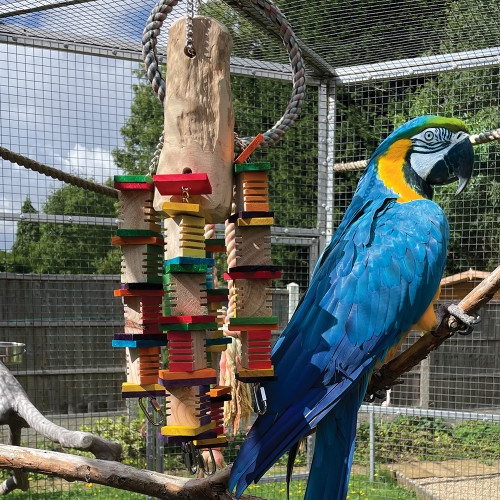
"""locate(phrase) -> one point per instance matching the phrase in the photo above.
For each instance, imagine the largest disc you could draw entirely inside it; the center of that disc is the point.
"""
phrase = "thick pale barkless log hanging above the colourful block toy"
(199, 117)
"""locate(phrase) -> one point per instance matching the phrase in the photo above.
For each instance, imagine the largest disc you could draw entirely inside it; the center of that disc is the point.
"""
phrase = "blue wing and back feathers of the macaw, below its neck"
(374, 280)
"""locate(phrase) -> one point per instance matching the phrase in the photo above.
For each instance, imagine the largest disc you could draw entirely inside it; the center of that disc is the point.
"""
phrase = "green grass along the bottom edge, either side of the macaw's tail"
(360, 488)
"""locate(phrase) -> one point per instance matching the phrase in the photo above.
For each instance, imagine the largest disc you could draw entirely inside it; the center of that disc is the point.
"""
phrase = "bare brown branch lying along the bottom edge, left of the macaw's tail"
(117, 475)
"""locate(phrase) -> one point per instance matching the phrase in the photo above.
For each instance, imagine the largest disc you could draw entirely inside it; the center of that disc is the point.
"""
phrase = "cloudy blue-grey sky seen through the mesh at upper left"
(62, 108)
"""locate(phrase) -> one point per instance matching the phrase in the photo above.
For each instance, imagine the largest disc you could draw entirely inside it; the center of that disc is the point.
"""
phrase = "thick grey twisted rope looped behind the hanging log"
(271, 12)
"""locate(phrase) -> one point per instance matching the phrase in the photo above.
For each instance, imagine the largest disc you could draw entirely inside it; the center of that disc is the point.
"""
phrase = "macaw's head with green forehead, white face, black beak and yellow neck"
(425, 152)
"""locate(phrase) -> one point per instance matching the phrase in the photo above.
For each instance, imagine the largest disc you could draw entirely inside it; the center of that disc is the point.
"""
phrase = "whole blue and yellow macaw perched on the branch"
(378, 277)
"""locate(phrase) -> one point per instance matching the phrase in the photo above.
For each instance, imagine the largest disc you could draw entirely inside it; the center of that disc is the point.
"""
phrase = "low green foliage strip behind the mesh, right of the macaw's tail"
(424, 438)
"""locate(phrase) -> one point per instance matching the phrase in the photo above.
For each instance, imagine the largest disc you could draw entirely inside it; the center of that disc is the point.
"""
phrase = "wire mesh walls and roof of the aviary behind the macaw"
(73, 95)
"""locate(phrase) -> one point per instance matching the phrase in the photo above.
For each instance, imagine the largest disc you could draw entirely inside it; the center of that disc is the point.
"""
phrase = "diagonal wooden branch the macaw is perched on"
(389, 373)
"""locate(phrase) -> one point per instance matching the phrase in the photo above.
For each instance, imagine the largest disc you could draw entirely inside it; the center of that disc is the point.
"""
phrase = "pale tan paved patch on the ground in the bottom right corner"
(450, 480)
